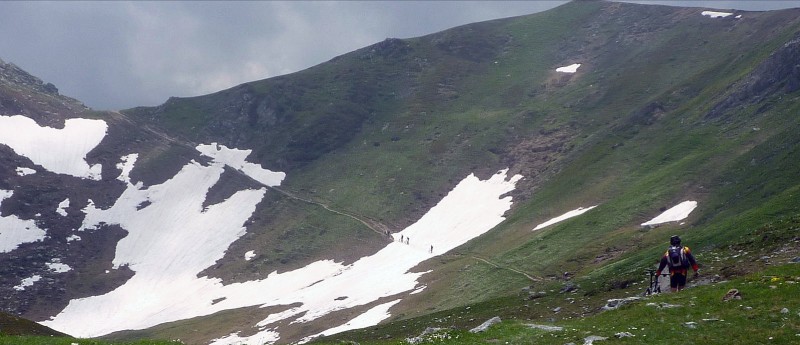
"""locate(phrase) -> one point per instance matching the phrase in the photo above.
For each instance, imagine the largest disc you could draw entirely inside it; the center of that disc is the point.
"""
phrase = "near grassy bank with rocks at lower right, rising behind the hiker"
(755, 264)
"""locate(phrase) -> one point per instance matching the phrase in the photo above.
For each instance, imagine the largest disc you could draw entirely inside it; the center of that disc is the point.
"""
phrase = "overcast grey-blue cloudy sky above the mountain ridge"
(117, 55)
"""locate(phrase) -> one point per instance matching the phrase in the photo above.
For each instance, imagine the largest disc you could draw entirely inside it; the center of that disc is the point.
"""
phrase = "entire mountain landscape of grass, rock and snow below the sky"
(508, 181)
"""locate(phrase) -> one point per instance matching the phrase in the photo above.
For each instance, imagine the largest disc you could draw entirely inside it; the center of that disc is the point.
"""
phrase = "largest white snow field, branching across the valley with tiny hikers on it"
(188, 238)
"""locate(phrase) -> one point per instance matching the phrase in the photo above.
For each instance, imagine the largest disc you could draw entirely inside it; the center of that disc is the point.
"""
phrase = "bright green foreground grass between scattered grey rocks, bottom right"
(695, 315)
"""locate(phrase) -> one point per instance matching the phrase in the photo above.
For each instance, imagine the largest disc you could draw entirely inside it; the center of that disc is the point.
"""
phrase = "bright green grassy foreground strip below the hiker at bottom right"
(767, 313)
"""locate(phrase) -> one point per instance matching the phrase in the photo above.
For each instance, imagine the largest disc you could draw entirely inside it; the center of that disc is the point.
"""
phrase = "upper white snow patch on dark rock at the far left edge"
(62, 151)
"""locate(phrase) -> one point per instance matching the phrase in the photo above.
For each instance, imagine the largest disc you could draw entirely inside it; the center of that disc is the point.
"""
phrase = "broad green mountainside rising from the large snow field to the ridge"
(463, 112)
